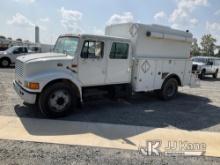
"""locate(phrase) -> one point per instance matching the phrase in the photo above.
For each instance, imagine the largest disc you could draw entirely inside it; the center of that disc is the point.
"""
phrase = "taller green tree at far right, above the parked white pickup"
(208, 45)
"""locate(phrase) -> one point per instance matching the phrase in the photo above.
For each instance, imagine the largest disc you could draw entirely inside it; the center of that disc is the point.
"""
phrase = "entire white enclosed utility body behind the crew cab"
(158, 52)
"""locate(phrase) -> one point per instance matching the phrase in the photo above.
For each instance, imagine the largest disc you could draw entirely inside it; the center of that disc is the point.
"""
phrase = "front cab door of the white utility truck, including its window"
(92, 63)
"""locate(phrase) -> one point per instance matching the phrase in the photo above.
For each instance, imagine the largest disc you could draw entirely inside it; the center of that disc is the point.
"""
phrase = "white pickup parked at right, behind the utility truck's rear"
(206, 66)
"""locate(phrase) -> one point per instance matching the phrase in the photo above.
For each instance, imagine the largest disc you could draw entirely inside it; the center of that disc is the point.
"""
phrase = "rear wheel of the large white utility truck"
(169, 89)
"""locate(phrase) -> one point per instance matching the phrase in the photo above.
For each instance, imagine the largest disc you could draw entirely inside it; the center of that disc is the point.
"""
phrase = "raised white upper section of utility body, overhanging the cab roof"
(154, 41)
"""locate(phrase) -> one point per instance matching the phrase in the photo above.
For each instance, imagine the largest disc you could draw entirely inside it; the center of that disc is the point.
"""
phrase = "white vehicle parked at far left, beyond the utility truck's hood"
(9, 56)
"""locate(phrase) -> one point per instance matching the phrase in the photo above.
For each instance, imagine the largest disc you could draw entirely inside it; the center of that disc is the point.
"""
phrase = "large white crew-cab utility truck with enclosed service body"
(130, 58)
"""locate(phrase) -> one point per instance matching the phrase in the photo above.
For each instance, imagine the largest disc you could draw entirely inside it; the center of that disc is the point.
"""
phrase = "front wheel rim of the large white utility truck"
(59, 101)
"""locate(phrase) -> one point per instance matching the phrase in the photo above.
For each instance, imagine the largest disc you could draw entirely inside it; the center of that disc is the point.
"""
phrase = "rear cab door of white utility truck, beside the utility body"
(119, 63)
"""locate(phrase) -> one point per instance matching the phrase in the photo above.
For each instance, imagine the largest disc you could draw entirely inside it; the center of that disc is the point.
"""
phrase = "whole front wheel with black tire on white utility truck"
(57, 100)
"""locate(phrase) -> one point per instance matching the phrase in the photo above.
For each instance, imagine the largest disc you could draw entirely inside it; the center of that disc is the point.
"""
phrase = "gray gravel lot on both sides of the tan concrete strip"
(195, 109)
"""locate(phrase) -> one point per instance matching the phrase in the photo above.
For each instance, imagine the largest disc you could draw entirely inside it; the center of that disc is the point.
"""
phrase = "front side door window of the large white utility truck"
(92, 49)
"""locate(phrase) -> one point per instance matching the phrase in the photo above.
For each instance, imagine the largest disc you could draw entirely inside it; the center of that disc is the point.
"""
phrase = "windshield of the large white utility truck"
(66, 45)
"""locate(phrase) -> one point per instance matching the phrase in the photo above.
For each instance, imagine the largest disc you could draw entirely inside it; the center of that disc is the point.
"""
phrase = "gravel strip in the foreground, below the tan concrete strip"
(28, 153)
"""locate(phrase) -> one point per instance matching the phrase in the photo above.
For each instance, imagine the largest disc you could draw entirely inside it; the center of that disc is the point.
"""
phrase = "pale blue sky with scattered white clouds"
(55, 17)
